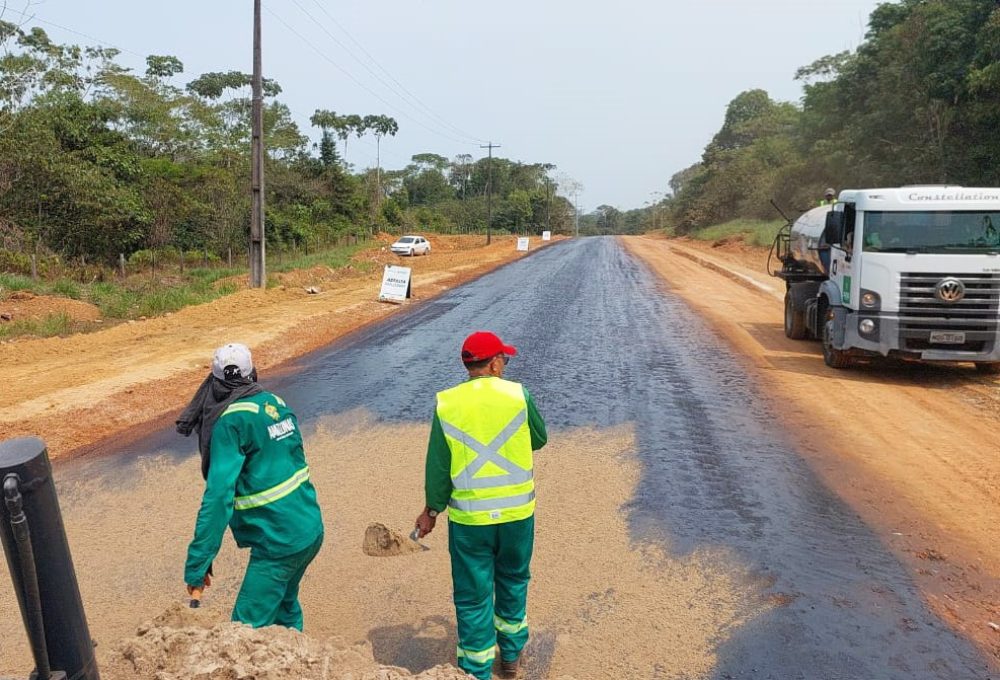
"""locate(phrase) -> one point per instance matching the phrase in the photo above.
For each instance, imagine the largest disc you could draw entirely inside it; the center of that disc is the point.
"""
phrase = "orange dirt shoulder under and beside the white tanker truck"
(913, 449)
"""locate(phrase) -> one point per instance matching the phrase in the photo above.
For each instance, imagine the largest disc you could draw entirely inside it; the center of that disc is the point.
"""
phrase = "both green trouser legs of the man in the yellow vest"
(490, 569)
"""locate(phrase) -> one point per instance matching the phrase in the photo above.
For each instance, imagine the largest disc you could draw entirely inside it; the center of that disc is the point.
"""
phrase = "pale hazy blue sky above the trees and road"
(619, 95)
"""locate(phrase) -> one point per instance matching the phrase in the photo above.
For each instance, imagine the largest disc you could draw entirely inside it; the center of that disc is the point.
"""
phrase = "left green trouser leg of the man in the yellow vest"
(472, 555)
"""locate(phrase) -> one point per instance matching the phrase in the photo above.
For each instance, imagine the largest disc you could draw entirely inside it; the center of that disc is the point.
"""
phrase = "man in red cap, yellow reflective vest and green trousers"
(480, 467)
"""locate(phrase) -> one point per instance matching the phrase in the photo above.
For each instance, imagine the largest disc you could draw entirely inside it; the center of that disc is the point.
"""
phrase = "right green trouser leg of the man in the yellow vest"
(512, 572)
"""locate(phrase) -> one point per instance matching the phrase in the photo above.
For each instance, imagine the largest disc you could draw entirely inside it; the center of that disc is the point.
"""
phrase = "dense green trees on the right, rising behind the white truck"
(917, 103)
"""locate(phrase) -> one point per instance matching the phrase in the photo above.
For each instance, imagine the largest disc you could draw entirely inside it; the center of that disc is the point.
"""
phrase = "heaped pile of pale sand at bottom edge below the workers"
(197, 644)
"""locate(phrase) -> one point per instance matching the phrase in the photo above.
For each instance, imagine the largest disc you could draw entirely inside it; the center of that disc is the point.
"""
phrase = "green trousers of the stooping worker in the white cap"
(270, 592)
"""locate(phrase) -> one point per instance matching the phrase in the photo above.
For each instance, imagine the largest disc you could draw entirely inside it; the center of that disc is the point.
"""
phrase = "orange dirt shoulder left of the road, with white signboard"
(79, 390)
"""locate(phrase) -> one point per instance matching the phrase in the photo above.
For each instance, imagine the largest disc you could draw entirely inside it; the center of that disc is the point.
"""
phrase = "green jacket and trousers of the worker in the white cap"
(258, 484)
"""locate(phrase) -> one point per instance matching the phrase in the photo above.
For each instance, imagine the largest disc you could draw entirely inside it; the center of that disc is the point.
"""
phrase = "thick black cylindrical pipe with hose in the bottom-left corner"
(66, 634)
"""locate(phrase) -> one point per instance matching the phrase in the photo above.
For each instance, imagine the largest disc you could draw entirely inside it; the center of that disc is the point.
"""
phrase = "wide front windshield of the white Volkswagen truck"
(932, 232)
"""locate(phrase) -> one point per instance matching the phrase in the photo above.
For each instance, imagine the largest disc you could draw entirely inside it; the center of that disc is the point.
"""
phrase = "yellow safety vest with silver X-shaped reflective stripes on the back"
(485, 422)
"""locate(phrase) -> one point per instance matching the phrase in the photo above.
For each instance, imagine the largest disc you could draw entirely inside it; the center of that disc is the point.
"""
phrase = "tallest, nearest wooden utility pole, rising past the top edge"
(257, 254)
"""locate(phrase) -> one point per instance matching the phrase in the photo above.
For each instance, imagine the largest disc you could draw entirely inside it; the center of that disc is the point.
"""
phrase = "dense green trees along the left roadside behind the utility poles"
(97, 161)
